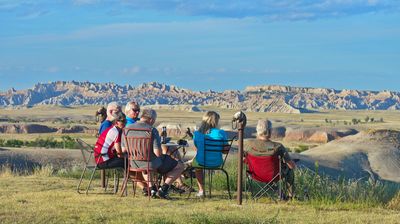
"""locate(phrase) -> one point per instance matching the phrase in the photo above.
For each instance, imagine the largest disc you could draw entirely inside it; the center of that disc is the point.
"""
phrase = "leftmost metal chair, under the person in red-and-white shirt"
(90, 164)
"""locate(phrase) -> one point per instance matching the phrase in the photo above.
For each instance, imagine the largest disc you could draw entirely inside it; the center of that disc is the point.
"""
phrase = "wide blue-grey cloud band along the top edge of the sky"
(272, 9)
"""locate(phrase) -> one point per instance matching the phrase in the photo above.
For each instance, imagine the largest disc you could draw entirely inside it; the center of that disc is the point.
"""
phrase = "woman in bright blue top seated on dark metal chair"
(208, 130)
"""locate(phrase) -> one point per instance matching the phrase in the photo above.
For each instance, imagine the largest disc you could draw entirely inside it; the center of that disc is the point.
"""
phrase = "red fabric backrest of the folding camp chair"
(263, 168)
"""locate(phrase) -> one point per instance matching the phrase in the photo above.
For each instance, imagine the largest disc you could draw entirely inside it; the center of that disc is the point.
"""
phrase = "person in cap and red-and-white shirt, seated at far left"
(107, 151)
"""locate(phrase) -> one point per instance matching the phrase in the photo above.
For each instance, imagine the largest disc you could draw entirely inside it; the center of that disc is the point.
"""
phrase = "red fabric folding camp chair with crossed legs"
(263, 176)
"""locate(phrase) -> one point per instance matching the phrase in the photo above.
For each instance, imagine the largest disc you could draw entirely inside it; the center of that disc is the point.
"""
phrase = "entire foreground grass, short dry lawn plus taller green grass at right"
(46, 195)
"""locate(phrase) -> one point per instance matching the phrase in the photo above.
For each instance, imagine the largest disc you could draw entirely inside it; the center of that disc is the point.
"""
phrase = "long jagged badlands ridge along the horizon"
(268, 98)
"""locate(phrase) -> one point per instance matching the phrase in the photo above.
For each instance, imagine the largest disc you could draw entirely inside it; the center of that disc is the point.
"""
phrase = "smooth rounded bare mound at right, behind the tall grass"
(368, 154)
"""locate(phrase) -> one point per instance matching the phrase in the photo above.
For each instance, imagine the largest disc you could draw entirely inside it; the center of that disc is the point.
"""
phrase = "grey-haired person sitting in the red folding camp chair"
(262, 145)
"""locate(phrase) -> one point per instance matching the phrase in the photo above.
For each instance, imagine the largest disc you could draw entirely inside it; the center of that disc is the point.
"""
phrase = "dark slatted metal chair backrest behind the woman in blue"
(217, 147)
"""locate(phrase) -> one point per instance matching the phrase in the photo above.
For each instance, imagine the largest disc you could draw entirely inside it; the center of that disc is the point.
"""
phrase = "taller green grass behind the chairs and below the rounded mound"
(312, 186)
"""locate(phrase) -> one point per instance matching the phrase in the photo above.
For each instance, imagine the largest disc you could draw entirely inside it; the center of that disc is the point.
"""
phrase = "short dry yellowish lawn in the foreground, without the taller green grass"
(42, 198)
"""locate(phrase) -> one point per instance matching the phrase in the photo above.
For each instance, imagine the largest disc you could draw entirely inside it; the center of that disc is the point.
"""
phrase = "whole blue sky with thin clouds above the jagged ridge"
(201, 45)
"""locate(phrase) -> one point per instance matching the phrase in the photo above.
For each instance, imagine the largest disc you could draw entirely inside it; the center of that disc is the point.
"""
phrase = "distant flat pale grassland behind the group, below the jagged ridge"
(85, 115)
